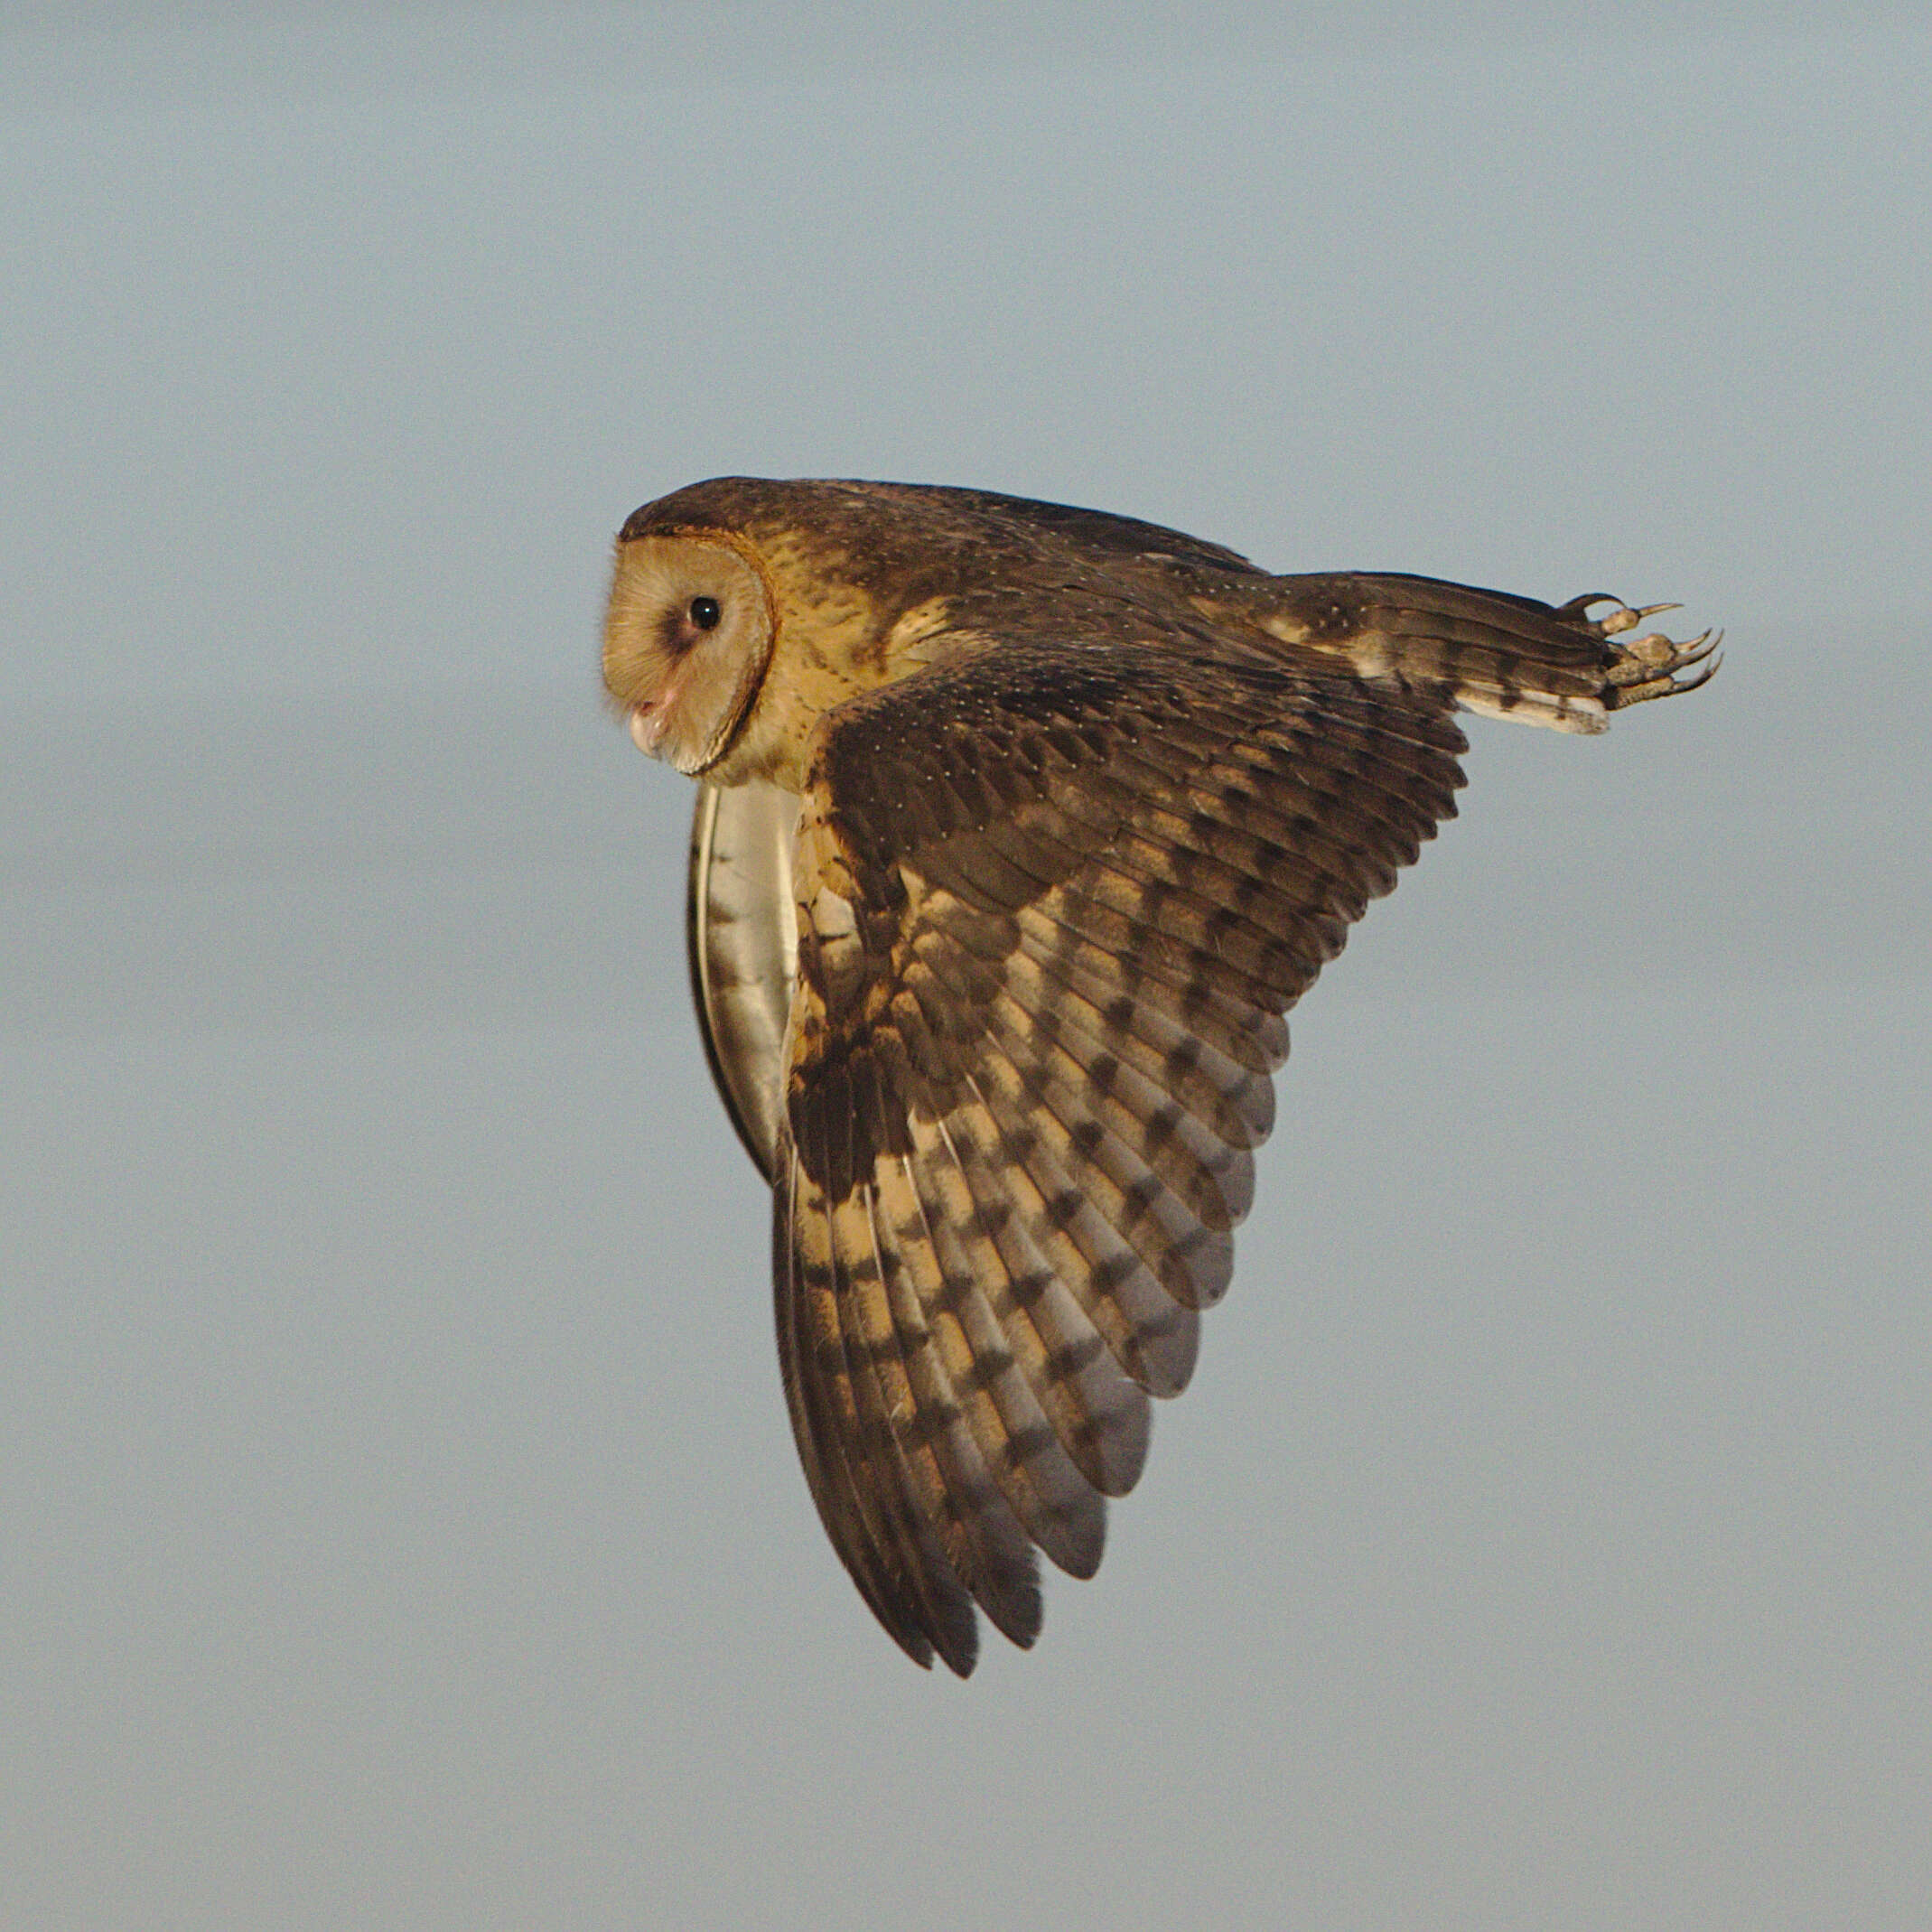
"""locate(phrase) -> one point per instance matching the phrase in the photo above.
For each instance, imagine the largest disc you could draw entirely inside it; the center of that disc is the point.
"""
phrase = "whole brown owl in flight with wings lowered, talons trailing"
(1019, 832)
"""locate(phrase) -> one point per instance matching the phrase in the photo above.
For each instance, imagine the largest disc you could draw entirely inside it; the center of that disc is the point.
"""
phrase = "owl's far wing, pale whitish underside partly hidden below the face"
(741, 934)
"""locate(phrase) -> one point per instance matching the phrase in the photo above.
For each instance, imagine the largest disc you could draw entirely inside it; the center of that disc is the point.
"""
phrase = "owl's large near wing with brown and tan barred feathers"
(1054, 905)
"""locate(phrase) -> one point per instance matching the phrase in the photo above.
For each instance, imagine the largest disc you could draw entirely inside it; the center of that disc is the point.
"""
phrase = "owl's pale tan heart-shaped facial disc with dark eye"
(687, 642)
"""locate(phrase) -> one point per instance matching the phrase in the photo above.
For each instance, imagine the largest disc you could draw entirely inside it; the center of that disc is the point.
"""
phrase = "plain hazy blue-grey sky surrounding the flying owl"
(399, 1521)
